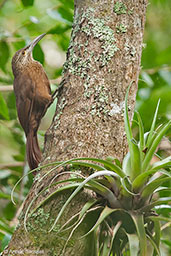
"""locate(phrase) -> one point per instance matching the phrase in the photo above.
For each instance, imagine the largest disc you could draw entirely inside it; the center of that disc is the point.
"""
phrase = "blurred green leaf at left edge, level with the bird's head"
(4, 54)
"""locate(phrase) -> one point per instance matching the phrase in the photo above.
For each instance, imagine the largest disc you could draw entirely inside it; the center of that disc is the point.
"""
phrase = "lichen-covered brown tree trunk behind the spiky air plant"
(103, 58)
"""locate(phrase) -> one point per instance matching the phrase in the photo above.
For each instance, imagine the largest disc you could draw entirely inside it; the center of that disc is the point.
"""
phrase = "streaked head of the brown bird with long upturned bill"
(24, 56)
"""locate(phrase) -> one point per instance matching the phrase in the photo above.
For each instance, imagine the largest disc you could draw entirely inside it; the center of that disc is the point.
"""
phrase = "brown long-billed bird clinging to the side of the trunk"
(33, 97)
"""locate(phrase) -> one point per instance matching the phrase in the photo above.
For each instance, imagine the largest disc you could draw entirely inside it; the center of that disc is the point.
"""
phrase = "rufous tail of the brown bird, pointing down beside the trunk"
(33, 150)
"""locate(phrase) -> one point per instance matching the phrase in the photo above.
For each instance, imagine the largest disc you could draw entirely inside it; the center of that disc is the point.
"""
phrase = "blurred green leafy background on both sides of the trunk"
(20, 22)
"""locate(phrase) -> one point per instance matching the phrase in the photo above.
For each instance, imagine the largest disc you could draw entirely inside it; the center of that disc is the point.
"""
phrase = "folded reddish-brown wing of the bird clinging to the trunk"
(24, 89)
